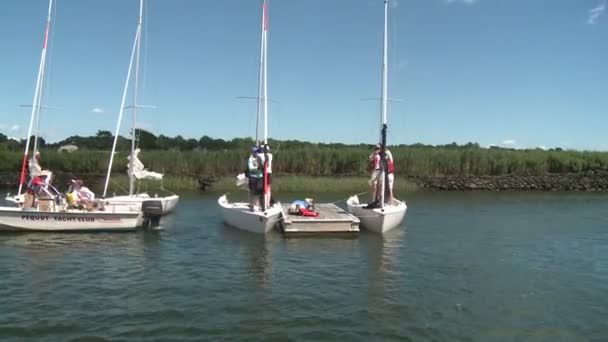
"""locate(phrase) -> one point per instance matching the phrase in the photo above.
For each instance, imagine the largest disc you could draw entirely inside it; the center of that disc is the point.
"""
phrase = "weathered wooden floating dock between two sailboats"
(331, 219)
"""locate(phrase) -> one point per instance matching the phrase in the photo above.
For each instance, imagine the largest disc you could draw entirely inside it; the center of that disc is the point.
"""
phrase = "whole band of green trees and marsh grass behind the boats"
(183, 161)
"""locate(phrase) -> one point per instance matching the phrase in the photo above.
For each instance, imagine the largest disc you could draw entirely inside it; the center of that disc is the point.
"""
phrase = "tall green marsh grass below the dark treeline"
(327, 161)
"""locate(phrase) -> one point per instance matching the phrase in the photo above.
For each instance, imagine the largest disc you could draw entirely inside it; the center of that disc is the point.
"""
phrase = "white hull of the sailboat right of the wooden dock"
(378, 220)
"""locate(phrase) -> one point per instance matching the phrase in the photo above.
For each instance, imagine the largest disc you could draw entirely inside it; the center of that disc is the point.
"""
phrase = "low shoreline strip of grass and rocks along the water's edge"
(590, 181)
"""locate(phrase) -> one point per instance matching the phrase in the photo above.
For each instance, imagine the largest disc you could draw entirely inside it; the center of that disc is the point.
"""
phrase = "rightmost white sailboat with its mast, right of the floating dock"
(384, 216)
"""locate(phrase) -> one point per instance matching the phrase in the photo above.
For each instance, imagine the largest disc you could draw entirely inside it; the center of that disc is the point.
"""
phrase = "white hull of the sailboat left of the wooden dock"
(239, 216)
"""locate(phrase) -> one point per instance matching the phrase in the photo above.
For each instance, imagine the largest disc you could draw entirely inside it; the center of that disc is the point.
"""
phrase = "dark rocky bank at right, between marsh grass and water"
(587, 181)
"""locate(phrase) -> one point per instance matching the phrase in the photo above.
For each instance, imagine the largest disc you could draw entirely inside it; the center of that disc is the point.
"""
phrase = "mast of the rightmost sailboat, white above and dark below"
(383, 110)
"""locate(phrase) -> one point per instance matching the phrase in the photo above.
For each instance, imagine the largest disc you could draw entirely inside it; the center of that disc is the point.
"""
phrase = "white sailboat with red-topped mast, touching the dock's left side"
(240, 214)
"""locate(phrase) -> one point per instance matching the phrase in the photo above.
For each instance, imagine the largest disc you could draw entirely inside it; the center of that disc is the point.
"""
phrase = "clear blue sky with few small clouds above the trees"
(513, 73)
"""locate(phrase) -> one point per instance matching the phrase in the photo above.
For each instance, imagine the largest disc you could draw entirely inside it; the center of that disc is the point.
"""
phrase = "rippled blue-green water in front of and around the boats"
(465, 266)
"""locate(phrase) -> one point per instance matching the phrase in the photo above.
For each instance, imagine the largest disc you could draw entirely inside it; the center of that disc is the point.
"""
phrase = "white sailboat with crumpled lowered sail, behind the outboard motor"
(136, 170)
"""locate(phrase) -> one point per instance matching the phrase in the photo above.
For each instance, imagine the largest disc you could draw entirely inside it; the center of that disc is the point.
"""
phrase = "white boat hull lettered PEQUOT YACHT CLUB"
(16, 219)
